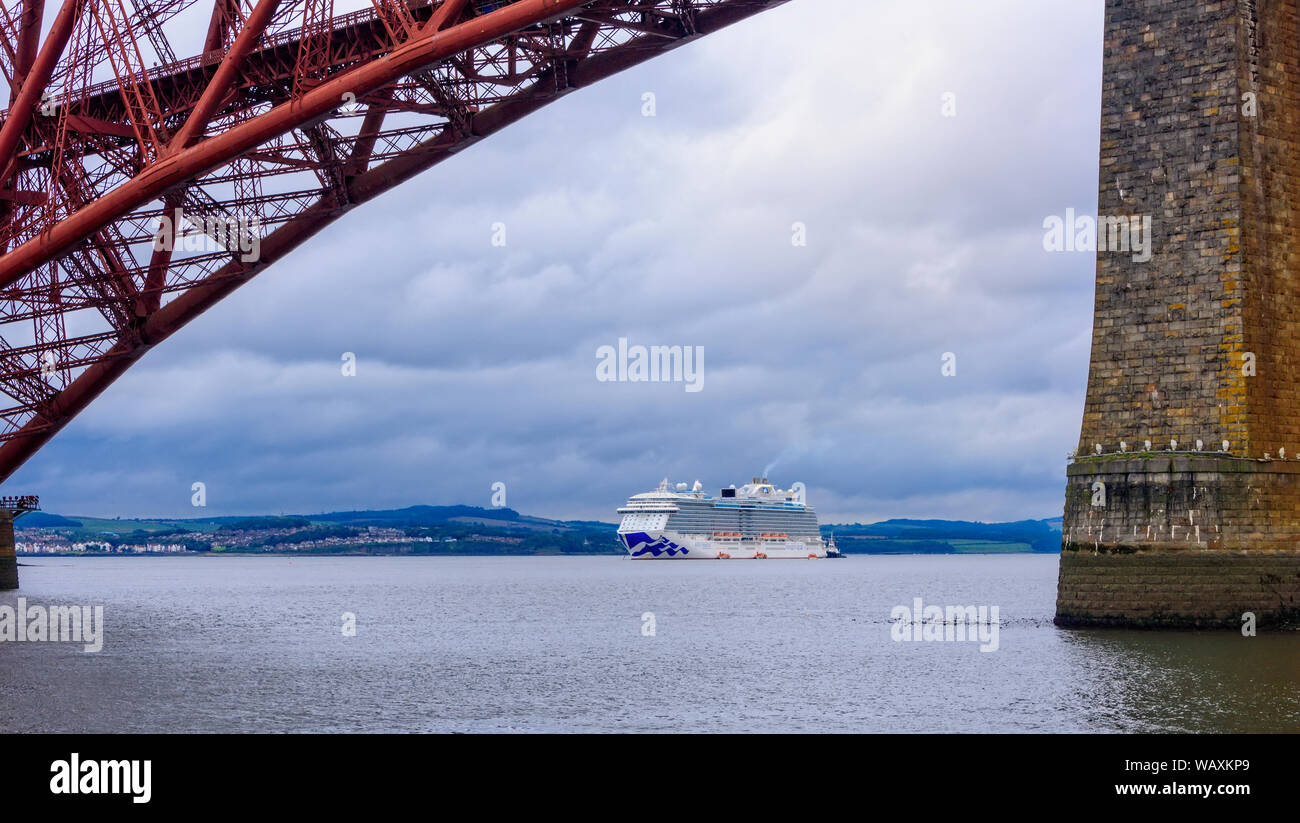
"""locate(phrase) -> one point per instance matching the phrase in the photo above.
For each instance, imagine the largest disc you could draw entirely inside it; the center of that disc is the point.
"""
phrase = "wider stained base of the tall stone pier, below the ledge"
(1181, 542)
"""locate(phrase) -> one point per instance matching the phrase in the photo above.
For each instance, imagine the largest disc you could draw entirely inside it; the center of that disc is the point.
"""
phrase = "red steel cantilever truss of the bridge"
(289, 118)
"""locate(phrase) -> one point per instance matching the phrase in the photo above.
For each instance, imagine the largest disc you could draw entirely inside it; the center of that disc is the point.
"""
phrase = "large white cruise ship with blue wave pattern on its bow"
(757, 521)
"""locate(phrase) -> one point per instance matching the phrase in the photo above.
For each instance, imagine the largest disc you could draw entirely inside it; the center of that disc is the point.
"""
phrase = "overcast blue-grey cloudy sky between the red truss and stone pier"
(822, 363)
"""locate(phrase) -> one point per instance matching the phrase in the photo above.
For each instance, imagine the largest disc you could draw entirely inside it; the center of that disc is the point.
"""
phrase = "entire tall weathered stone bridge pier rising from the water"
(1201, 129)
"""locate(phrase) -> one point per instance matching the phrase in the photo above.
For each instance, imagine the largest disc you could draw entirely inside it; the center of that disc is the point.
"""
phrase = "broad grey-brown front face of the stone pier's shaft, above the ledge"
(1167, 335)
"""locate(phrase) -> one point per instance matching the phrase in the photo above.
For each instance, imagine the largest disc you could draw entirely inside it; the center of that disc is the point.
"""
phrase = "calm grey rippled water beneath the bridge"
(556, 644)
